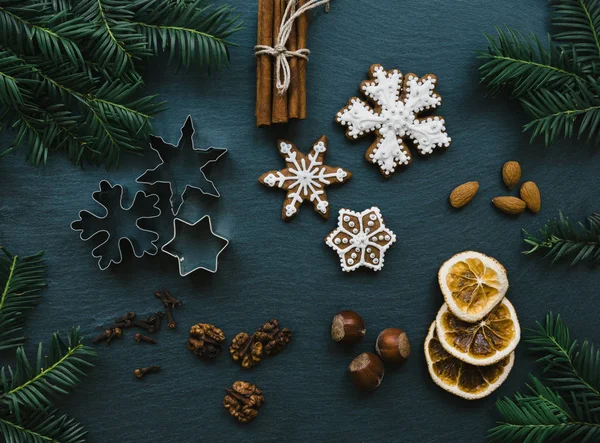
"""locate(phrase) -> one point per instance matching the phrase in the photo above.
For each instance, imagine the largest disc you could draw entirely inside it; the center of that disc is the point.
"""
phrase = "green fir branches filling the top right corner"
(557, 84)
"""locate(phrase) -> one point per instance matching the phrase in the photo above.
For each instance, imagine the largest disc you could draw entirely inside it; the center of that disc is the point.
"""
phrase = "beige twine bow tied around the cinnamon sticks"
(279, 50)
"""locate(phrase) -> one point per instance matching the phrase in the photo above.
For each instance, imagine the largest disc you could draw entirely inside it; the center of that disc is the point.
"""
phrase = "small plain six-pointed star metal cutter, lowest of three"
(204, 227)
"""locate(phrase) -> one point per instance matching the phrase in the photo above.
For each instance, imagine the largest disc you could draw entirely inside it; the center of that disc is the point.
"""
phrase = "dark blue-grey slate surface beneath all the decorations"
(274, 269)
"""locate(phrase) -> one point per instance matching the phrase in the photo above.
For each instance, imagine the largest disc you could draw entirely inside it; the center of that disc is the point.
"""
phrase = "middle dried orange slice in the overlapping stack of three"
(484, 342)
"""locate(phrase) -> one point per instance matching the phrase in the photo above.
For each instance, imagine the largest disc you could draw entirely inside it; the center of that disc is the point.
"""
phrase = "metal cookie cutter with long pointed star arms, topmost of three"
(168, 153)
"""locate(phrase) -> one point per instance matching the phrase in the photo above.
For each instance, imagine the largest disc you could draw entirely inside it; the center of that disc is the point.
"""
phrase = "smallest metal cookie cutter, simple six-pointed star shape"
(189, 245)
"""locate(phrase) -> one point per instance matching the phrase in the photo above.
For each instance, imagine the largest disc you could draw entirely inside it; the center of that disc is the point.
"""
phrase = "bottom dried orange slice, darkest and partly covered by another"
(460, 378)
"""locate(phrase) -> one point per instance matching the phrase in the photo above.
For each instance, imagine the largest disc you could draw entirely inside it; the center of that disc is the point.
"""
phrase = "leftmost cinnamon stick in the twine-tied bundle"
(264, 63)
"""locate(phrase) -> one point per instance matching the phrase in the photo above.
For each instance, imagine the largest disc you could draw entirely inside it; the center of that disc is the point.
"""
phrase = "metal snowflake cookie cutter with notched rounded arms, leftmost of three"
(108, 252)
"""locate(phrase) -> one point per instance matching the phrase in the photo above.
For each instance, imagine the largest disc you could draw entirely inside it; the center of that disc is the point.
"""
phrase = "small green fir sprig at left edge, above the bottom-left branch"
(21, 279)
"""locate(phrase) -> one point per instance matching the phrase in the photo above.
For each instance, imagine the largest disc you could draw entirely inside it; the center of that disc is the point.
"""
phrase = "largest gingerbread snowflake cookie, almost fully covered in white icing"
(398, 102)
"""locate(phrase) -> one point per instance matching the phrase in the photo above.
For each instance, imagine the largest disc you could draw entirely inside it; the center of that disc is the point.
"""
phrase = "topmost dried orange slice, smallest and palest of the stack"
(472, 284)
